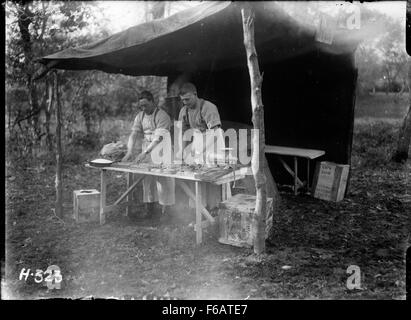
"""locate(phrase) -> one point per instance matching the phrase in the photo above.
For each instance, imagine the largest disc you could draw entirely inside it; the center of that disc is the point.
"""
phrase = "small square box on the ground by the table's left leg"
(86, 205)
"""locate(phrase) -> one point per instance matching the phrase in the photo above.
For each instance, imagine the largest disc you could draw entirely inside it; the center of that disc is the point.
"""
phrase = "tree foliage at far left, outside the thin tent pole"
(34, 29)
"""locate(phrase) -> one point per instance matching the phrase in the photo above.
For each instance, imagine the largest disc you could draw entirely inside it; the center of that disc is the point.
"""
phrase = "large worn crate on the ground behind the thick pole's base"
(236, 218)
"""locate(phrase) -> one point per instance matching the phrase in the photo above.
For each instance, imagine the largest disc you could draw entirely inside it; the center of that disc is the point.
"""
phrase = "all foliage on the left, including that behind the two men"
(38, 28)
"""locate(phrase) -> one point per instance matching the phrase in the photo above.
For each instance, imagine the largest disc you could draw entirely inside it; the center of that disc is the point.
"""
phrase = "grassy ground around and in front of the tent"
(313, 242)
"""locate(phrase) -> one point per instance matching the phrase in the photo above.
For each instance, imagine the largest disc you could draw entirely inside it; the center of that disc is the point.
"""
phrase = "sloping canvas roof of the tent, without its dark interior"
(208, 36)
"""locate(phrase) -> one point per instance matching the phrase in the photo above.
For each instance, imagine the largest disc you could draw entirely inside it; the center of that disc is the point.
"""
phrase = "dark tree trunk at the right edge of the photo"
(404, 137)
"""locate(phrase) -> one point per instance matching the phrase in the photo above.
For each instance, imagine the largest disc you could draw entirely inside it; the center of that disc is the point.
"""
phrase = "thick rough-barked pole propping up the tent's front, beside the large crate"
(258, 156)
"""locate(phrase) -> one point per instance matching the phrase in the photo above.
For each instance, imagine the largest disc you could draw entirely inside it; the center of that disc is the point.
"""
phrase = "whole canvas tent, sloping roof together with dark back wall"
(308, 86)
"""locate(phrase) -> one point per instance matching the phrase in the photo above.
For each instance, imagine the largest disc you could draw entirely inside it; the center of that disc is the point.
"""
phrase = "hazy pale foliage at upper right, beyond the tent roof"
(381, 55)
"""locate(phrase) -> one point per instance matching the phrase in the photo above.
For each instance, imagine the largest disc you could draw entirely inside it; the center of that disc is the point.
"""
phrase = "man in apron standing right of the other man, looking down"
(203, 115)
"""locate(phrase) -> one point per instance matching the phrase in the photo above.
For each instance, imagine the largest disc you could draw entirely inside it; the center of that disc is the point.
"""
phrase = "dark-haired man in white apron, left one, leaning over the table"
(148, 127)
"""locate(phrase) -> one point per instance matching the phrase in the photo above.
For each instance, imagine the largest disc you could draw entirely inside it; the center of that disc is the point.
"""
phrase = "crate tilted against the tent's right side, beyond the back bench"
(330, 181)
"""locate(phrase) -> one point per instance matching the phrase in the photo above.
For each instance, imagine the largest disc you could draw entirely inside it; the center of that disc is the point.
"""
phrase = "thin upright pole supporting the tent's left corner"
(59, 198)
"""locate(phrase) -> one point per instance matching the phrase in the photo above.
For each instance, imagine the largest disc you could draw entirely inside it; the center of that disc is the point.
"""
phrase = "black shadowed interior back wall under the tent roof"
(308, 103)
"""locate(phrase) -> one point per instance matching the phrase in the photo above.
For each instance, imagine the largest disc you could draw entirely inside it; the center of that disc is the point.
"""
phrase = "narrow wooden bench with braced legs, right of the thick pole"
(308, 154)
